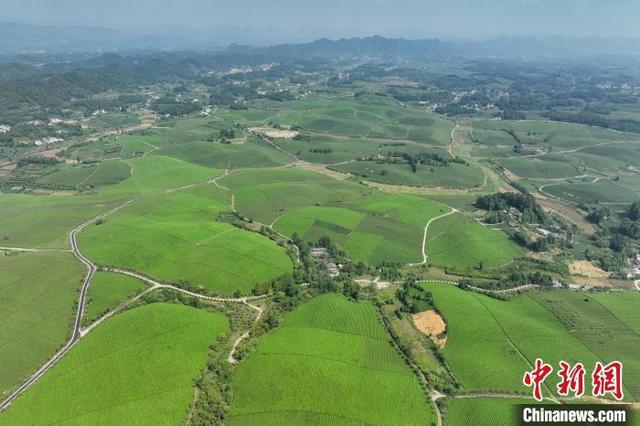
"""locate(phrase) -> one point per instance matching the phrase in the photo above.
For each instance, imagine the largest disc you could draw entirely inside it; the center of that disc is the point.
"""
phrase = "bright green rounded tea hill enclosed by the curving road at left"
(175, 237)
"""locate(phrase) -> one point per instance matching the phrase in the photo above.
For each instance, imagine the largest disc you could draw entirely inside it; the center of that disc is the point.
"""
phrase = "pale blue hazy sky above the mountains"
(339, 18)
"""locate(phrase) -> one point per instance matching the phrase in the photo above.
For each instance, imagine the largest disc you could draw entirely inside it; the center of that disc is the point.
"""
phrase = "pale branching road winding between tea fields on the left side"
(78, 332)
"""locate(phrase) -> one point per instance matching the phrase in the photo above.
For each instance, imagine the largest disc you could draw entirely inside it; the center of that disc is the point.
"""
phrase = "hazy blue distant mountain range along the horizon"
(16, 39)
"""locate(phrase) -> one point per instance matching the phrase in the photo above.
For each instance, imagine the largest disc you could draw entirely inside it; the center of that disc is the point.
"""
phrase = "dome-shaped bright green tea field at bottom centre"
(329, 363)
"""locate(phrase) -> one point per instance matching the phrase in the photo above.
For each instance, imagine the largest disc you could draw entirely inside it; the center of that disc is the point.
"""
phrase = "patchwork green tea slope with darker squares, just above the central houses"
(370, 225)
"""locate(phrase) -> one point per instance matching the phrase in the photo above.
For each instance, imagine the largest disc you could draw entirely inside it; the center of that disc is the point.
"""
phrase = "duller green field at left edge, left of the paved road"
(38, 292)
